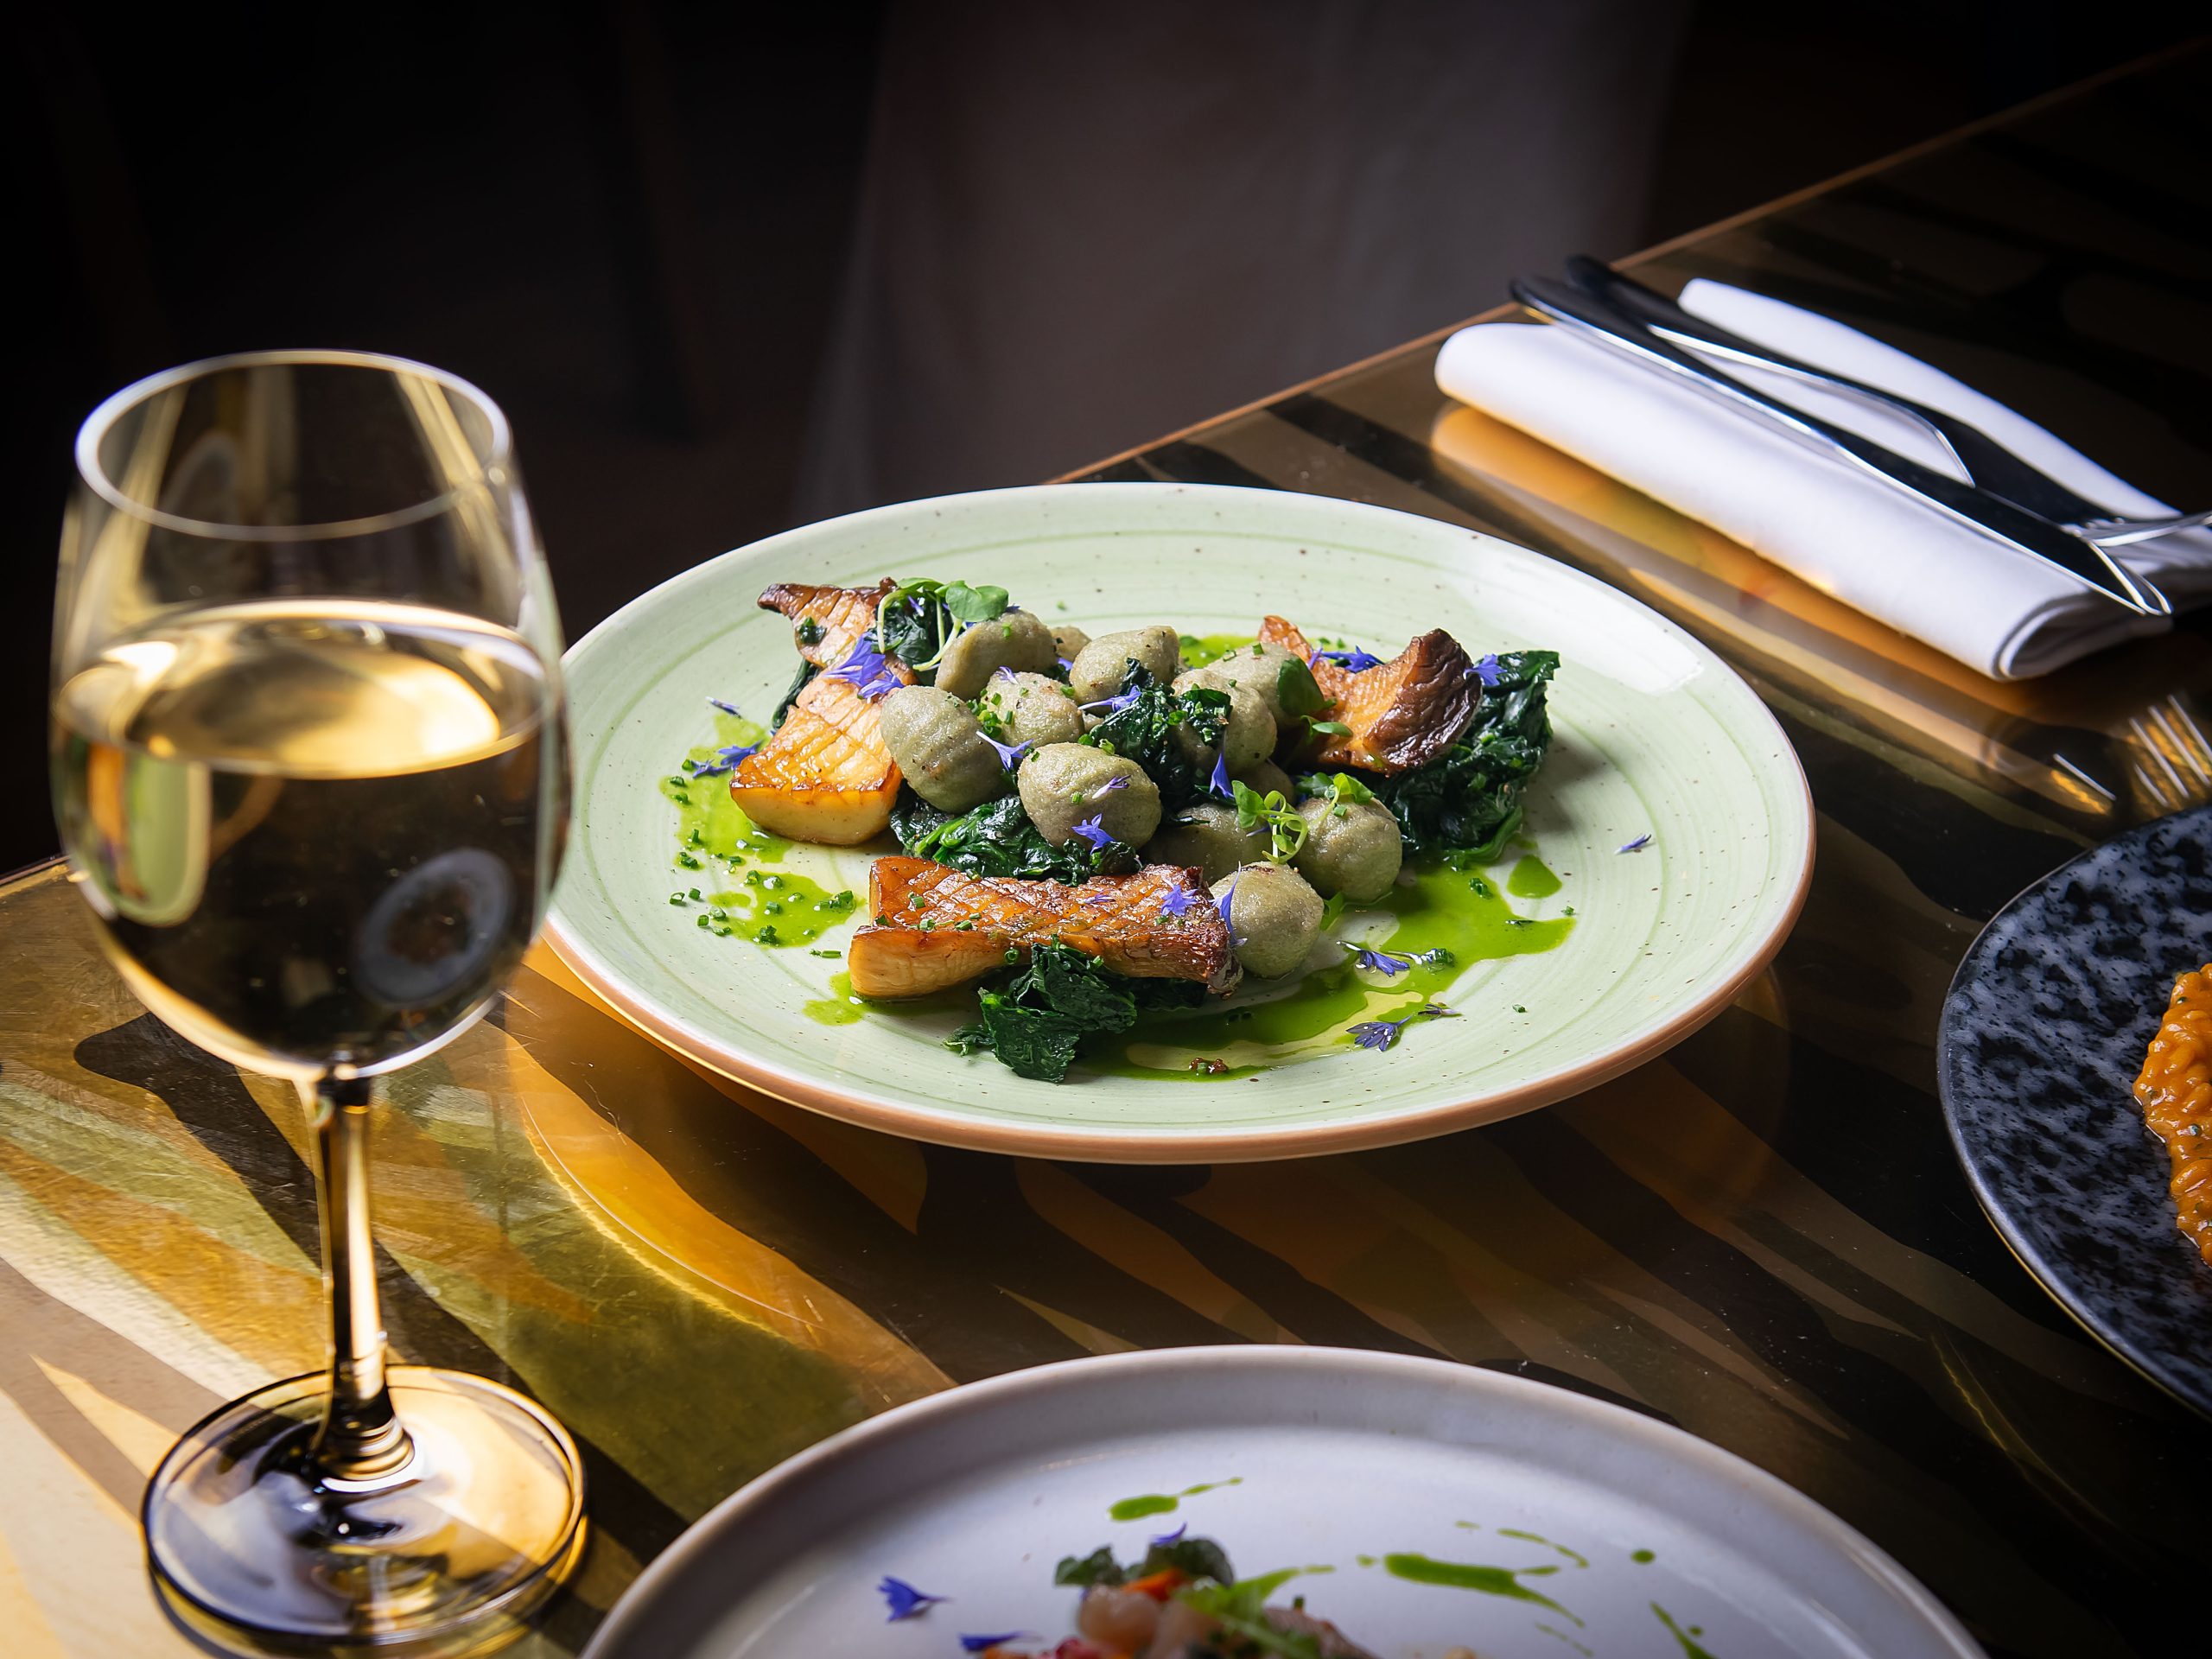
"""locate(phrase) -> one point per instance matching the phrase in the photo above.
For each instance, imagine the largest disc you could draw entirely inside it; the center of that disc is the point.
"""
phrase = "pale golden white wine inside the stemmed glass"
(315, 833)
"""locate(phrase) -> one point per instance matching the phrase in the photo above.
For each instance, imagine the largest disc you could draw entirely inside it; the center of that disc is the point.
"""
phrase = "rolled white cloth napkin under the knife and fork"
(1848, 534)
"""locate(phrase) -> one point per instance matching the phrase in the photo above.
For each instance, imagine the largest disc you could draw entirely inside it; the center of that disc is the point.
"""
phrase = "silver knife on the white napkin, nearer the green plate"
(1965, 503)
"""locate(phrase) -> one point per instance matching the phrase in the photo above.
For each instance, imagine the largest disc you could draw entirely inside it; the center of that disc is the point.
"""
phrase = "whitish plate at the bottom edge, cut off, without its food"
(1359, 1468)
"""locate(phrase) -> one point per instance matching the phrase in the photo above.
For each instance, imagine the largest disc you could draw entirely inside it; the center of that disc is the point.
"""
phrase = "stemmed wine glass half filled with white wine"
(313, 778)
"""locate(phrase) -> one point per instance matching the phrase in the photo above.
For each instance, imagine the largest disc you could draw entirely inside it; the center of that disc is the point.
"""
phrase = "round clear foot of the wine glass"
(448, 1556)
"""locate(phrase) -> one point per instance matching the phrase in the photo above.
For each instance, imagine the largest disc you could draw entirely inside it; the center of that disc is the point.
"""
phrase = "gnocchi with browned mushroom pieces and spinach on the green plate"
(1125, 828)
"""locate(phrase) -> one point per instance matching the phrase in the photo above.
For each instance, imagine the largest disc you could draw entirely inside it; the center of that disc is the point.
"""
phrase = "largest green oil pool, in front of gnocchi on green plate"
(1446, 908)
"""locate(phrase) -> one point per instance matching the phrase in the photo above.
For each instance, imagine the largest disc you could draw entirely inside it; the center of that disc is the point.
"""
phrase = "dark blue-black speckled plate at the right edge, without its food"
(2043, 1039)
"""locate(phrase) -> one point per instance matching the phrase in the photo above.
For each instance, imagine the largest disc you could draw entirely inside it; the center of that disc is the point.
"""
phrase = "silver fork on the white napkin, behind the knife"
(1981, 457)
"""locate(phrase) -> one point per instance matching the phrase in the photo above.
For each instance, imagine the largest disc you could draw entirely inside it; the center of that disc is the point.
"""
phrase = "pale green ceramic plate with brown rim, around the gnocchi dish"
(1656, 738)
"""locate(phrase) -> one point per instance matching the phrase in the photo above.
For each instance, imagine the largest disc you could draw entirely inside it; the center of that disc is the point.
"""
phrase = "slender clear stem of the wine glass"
(362, 1437)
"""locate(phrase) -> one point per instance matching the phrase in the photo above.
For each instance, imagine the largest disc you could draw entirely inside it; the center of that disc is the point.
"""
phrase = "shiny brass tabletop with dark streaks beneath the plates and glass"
(1762, 1238)
